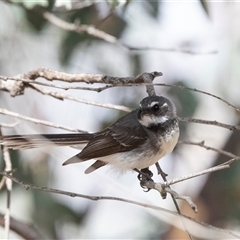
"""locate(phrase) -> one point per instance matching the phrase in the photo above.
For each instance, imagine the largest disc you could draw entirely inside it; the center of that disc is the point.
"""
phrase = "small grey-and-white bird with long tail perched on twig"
(134, 142)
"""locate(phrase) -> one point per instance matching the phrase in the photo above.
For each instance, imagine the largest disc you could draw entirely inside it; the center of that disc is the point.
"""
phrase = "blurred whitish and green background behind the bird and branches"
(194, 44)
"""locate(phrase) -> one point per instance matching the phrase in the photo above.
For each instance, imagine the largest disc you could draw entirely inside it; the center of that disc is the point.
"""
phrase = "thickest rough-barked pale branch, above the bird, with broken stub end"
(16, 85)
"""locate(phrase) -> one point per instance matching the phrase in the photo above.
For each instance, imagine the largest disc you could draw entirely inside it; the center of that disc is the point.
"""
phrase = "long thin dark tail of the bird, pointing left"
(38, 140)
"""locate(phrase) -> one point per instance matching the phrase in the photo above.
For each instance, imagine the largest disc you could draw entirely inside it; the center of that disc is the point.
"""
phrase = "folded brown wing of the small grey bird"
(124, 135)
